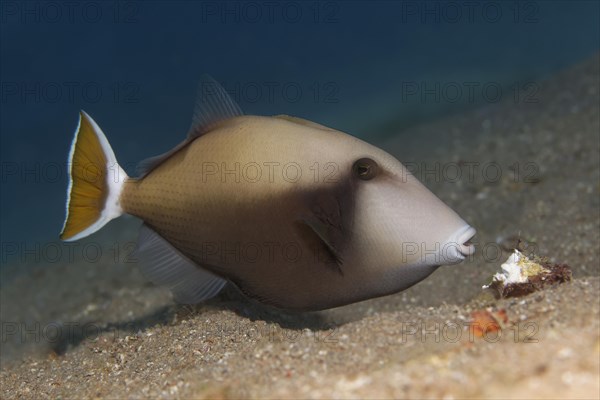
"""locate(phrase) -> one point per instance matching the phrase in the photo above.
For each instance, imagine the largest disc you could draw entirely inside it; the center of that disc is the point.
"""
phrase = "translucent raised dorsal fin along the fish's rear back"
(213, 105)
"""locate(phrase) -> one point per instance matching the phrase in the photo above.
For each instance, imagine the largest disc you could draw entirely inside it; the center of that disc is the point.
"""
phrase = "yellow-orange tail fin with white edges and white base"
(95, 182)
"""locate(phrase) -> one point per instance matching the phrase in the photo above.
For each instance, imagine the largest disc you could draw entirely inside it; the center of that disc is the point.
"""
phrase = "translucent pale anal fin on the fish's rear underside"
(164, 265)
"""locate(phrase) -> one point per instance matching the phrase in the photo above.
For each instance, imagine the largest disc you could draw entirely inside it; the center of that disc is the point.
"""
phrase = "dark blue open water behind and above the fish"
(133, 66)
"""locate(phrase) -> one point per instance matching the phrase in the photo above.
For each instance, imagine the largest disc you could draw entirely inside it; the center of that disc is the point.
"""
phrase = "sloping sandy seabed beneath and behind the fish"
(82, 330)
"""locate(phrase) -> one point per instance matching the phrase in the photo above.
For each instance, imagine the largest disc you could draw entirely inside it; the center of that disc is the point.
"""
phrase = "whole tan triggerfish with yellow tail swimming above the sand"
(293, 213)
